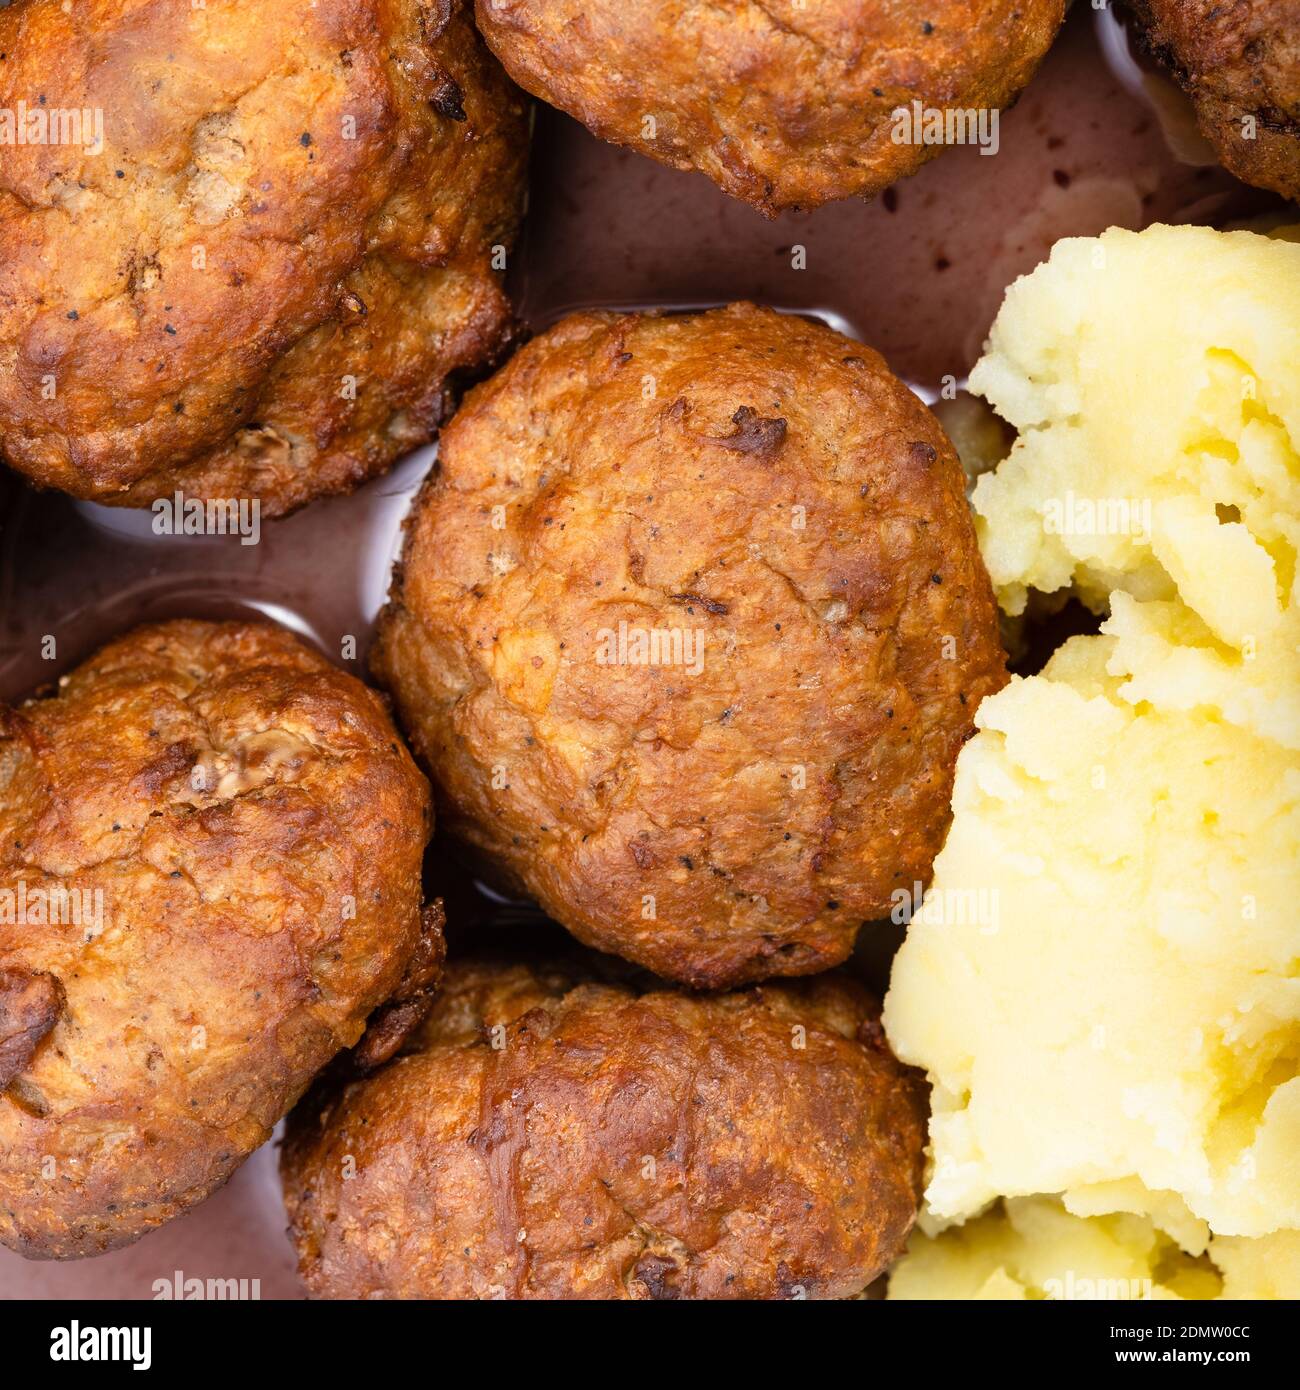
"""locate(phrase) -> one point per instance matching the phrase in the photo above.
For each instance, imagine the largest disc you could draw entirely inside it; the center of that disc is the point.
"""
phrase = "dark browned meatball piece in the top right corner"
(1240, 62)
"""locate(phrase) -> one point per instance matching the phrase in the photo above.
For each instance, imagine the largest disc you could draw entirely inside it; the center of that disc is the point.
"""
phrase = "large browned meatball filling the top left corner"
(261, 258)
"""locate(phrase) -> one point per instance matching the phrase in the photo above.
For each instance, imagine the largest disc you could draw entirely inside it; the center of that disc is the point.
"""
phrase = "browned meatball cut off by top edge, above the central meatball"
(782, 104)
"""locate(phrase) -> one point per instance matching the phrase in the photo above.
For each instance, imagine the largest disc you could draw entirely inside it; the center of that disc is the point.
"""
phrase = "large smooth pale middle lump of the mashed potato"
(1103, 981)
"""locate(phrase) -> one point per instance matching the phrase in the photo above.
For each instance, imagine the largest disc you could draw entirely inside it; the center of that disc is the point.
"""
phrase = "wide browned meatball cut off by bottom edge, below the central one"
(557, 1139)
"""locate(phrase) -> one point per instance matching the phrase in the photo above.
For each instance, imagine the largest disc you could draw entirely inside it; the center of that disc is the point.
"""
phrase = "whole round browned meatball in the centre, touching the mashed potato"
(690, 628)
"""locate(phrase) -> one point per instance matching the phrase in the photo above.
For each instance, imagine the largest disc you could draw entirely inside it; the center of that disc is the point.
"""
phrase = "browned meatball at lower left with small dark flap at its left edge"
(211, 850)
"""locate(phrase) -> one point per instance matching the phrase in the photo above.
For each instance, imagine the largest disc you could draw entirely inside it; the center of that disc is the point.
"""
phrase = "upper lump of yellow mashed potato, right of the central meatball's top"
(1155, 380)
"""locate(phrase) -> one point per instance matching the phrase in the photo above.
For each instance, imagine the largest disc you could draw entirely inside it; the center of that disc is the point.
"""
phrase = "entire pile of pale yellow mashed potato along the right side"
(1105, 981)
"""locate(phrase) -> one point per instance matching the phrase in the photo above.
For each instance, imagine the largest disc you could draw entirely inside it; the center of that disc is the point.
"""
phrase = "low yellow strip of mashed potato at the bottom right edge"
(1034, 1249)
